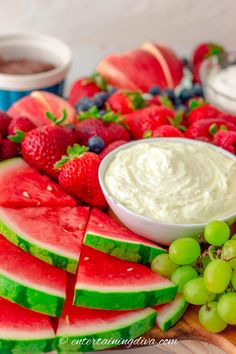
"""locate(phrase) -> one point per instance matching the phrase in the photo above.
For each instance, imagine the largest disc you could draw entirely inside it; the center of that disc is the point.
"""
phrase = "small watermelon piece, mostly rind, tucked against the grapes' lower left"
(169, 314)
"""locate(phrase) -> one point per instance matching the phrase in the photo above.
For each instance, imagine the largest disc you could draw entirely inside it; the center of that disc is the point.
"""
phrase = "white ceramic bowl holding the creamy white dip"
(158, 231)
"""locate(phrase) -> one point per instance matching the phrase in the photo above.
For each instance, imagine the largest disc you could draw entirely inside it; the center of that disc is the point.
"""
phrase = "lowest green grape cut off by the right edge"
(227, 308)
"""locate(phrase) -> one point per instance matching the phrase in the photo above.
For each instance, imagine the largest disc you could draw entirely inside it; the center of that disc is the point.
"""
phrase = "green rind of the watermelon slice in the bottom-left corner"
(32, 346)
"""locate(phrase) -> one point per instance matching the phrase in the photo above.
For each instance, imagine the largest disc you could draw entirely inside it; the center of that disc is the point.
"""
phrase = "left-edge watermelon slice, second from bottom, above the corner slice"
(30, 282)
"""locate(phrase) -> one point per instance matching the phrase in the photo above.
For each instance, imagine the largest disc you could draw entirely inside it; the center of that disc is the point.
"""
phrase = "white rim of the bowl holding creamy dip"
(112, 154)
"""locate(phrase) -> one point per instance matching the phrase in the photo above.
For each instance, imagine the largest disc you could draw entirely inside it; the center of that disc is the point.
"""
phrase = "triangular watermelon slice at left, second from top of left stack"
(54, 235)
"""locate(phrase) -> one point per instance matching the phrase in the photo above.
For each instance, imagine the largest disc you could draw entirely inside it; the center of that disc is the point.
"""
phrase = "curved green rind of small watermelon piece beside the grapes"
(170, 320)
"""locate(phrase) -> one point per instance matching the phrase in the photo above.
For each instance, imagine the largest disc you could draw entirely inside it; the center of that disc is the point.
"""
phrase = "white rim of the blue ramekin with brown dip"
(12, 81)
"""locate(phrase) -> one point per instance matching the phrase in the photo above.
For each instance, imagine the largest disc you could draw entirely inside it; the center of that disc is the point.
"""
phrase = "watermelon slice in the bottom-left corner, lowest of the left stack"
(24, 331)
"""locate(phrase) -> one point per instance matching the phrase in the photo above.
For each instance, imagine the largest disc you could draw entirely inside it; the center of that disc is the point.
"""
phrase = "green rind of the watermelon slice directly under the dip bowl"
(129, 251)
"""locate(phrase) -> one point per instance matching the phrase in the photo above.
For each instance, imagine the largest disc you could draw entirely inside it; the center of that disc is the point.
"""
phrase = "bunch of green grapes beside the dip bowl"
(207, 279)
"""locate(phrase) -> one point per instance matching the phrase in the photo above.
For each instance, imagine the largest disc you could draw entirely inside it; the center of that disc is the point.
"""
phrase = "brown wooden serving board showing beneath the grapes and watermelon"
(189, 328)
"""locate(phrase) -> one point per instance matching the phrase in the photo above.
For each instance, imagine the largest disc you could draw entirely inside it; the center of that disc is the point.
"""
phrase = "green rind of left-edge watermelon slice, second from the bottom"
(33, 299)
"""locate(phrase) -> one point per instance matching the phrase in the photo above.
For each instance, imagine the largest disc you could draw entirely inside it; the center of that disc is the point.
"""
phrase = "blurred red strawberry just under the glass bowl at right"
(203, 111)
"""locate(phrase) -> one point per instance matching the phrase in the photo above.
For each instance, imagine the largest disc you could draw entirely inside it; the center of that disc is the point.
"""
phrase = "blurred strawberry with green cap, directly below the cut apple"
(124, 102)
